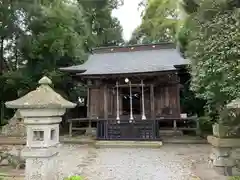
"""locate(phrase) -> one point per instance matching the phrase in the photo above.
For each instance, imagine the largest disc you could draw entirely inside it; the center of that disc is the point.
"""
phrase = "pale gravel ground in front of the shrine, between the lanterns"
(170, 162)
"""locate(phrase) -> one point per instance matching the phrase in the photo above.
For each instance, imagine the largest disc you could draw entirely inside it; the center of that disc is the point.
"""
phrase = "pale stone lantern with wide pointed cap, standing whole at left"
(42, 110)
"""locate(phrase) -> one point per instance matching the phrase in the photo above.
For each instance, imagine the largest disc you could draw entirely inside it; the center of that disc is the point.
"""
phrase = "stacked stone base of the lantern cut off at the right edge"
(225, 155)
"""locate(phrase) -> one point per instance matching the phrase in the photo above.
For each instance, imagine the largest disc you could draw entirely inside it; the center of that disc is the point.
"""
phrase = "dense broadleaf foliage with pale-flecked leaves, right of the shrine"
(209, 77)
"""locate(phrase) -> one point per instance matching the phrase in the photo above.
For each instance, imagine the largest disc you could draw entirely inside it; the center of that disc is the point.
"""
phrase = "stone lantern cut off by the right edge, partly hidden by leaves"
(225, 155)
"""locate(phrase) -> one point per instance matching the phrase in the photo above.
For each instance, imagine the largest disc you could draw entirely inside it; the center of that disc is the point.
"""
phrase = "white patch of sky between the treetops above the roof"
(129, 17)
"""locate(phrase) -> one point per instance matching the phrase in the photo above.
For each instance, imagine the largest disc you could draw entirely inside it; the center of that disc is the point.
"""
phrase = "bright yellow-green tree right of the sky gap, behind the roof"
(159, 22)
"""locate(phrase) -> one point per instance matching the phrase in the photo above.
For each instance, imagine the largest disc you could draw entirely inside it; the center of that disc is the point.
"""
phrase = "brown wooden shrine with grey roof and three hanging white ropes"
(131, 86)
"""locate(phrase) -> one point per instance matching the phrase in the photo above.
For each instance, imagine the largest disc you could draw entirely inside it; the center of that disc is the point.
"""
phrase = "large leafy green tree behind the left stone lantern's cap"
(54, 36)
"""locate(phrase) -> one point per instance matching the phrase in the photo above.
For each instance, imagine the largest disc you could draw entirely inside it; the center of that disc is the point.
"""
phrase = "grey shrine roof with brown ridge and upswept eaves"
(130, 59)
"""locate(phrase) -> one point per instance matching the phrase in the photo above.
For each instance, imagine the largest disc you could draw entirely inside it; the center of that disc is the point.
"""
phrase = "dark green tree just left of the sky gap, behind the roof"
(105, 29)
